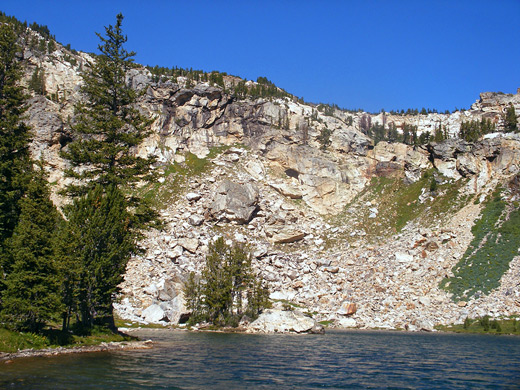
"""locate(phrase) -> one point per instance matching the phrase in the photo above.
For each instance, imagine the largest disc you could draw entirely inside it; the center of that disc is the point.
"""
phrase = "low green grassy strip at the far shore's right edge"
(484, 325)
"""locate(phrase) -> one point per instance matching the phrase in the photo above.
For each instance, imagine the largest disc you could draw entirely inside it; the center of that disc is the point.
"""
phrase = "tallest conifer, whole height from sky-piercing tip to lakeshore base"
(103, 231)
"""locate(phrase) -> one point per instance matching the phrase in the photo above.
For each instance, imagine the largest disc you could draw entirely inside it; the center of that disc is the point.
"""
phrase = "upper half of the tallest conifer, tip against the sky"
(108, 126)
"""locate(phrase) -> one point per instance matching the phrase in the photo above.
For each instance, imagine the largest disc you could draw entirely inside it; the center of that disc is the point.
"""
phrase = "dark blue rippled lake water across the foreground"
(336, 360)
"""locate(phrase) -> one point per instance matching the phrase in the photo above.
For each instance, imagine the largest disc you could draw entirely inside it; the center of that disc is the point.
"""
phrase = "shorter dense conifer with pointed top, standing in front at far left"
(31, 297)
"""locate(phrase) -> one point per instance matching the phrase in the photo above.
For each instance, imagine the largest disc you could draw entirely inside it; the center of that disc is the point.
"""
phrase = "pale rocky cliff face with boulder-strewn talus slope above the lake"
(321, 233)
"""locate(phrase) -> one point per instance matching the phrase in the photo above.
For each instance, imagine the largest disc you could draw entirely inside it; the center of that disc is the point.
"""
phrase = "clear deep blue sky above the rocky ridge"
(369, 54)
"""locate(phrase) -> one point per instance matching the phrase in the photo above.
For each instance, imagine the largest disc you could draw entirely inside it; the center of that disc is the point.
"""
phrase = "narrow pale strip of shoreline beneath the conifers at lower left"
(8, 357)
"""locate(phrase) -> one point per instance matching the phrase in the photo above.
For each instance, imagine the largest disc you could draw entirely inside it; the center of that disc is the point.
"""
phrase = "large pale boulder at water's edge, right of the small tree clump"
(283, 321)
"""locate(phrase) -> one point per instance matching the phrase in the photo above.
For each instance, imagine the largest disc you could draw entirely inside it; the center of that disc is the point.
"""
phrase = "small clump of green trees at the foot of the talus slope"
(228, 288)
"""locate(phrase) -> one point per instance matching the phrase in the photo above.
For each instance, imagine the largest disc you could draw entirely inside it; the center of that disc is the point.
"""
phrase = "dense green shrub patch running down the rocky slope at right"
(495, 243)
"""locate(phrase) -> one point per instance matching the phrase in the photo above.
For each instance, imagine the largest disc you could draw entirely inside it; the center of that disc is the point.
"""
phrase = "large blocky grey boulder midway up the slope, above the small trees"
(234, 202)
